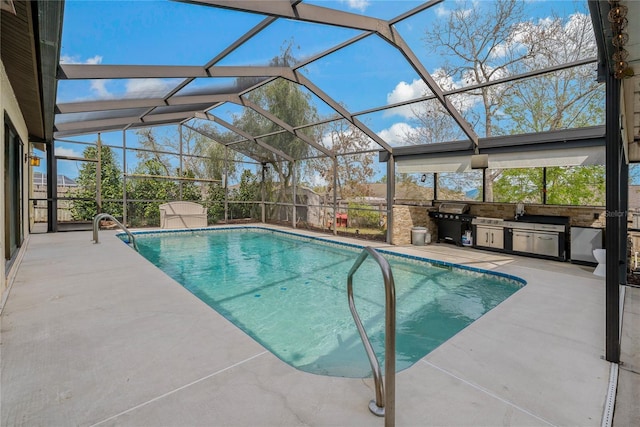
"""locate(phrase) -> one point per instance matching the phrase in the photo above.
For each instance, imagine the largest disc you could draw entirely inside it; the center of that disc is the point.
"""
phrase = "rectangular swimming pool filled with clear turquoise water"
(288, 292)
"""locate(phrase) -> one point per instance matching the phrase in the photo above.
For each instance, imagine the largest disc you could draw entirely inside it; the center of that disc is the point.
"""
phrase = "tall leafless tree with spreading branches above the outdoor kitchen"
(486, 41)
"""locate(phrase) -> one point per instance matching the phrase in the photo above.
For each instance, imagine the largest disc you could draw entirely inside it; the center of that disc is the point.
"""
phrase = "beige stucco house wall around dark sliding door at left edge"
(9, 105)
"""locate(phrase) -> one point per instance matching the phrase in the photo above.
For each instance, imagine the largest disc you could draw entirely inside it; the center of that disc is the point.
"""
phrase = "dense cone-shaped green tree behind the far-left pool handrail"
(110, 185)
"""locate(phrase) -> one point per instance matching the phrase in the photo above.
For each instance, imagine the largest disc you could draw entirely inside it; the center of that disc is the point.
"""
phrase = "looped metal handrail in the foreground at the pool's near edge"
(384, 404)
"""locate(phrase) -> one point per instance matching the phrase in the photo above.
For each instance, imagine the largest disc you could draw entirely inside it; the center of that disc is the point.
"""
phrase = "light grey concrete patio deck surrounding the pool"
(93, 334)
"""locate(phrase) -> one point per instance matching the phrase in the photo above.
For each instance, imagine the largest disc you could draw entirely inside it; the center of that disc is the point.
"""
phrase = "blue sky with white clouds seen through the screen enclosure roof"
(152, 32)
